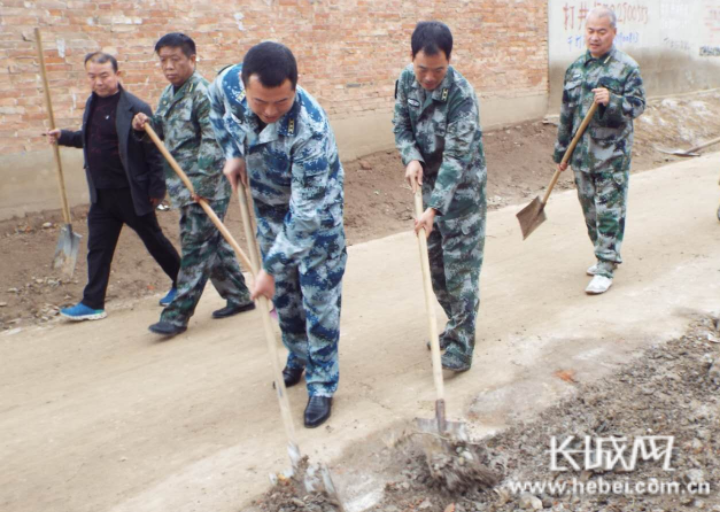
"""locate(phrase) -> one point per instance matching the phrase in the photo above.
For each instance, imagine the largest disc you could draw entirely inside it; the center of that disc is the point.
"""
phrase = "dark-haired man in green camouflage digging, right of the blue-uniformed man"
(437, 131)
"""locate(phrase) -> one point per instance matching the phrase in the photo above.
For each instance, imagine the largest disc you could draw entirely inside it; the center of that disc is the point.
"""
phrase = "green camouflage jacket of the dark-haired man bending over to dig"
(441, 129)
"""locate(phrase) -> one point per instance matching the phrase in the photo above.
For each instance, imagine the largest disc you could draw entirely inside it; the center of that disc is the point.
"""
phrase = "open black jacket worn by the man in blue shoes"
(141, 160)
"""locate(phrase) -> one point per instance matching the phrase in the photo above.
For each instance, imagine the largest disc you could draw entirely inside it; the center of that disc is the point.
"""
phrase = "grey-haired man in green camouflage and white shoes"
(601, 160)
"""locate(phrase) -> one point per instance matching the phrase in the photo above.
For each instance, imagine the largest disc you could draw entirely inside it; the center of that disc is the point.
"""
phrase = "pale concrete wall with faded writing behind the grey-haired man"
(676, 42)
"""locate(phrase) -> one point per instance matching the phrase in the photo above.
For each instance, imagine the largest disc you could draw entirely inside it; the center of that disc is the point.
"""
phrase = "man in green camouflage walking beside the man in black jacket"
(182, 120)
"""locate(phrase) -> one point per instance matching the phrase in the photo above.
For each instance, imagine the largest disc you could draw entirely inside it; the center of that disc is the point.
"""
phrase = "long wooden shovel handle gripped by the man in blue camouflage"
(267, 326)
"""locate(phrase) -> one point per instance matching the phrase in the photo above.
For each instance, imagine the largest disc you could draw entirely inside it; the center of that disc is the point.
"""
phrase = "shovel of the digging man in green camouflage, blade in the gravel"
(438, 428)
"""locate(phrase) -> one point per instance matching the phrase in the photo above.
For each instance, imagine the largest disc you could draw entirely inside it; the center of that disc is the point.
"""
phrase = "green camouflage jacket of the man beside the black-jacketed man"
(182, 120)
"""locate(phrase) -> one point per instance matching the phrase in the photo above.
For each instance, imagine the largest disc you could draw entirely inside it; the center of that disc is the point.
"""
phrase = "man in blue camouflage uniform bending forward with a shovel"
(277, 138)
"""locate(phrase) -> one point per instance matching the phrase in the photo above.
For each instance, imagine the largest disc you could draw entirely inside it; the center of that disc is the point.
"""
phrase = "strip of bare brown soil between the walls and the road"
(378, 203)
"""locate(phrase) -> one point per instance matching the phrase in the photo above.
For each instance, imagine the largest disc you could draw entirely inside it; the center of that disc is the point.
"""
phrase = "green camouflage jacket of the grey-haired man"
(610, 133)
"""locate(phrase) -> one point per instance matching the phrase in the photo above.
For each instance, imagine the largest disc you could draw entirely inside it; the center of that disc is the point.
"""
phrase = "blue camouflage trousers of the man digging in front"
(307, 300)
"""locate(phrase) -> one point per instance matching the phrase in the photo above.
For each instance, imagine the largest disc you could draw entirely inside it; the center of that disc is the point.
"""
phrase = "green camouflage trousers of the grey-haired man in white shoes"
(603, 197)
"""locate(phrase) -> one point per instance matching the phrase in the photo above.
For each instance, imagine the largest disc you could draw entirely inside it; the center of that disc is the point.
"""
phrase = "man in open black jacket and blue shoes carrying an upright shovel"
(126, 181)
